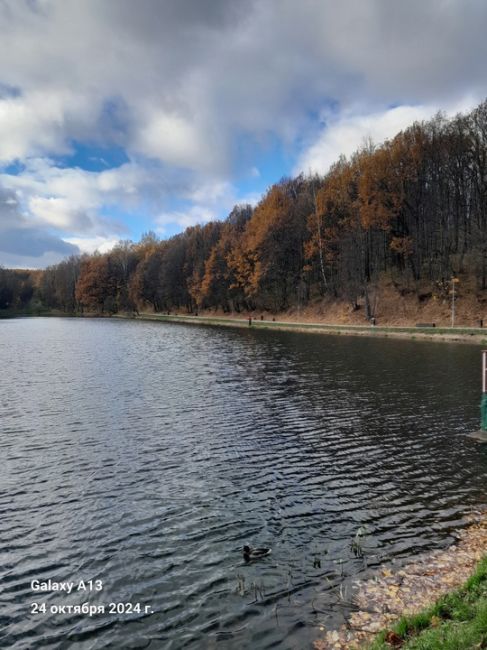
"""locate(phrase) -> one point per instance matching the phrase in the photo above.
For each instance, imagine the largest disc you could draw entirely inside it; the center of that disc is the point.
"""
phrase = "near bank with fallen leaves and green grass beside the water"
(436, 601)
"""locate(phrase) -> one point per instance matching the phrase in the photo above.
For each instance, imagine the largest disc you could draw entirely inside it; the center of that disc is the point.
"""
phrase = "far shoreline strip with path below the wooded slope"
(447, 335)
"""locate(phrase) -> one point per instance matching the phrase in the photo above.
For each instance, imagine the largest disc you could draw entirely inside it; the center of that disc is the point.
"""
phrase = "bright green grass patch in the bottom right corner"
(457, 621)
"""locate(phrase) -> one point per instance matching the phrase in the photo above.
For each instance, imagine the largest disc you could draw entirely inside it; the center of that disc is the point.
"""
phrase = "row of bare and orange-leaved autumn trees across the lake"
(413, 211)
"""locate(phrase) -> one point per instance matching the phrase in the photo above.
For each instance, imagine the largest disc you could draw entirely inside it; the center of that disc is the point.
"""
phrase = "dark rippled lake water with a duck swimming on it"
(145, 455)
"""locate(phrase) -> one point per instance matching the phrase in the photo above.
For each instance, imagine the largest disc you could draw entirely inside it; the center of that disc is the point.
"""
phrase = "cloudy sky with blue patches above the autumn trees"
(122, 116)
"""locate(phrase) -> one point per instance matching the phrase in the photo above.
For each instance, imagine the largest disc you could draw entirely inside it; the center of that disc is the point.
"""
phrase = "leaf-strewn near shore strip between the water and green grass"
(414, 591)
